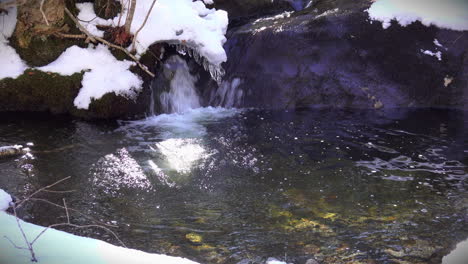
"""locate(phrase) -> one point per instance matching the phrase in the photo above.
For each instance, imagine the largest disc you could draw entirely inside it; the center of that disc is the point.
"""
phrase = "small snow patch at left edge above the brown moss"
(11, 64)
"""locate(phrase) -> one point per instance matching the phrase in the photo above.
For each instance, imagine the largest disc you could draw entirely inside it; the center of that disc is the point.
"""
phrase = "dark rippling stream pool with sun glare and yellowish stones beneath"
(219, 186)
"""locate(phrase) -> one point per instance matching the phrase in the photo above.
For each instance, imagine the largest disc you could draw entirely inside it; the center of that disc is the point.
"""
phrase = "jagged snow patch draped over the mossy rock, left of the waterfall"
(106, 74)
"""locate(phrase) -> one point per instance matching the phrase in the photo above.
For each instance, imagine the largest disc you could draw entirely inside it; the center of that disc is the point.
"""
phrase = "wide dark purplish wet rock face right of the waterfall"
(331, 55)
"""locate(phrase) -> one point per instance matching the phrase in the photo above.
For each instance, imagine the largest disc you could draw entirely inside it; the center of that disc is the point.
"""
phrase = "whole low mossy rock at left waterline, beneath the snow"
(37, 91)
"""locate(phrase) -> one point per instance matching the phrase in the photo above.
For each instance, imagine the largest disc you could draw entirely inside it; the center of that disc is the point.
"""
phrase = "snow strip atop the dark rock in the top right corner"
(450, 14)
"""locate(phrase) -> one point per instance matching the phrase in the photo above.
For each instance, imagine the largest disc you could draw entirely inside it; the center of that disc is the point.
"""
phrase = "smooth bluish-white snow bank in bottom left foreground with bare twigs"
(57, 247)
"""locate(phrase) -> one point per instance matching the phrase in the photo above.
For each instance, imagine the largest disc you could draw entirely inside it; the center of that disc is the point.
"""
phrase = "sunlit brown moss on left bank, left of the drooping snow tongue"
(39, 91)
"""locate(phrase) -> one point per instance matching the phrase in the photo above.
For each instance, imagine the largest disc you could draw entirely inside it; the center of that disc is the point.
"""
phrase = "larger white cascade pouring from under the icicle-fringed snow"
(182, 95)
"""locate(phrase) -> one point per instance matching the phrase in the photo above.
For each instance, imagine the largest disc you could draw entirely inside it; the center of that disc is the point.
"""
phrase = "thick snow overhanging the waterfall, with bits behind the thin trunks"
(179, 21)
